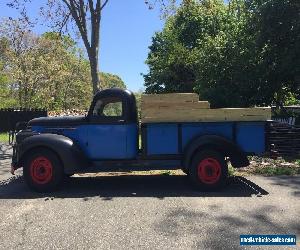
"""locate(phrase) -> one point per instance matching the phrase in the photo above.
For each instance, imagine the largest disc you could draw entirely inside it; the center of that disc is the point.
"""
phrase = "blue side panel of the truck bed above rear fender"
(172, 138)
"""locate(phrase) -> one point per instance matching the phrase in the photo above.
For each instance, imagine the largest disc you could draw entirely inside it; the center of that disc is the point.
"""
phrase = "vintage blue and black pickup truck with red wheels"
(49, 149)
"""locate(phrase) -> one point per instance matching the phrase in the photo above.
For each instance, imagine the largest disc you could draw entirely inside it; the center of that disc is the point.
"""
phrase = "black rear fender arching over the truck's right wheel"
(229, 149)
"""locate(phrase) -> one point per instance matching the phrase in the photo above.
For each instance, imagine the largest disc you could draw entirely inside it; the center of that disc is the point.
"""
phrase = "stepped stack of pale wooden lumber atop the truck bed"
(186, 107)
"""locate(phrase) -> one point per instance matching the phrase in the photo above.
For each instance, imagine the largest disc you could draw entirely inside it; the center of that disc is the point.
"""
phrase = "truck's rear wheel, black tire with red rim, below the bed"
(208, 170)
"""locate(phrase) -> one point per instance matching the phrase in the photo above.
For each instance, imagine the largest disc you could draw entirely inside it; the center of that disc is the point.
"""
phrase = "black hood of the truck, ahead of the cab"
(58, 121)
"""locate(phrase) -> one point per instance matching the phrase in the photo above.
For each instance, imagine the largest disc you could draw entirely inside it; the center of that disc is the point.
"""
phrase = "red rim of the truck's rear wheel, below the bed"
(209, 170)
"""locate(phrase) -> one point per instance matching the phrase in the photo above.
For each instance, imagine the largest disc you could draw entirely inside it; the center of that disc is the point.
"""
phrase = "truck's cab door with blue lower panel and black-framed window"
(110, 135)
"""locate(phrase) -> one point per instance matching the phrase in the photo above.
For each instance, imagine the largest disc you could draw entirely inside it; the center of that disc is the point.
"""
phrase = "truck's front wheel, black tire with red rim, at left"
(43, 170)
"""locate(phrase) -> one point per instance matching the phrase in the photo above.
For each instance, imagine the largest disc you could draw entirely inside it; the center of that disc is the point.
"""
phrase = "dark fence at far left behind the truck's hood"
(9, 117)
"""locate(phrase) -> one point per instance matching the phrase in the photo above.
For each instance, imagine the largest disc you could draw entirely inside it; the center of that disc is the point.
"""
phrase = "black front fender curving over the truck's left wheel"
(70, 153)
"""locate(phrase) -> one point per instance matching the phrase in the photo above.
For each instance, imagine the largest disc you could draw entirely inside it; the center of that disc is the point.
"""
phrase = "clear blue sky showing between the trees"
(126, 31)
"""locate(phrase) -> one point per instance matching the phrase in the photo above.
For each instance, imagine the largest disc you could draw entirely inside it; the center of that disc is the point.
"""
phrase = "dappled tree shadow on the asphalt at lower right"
(224, 234)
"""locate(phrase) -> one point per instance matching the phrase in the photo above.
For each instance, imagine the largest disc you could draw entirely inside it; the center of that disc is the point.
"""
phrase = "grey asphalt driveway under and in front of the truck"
(139, 212)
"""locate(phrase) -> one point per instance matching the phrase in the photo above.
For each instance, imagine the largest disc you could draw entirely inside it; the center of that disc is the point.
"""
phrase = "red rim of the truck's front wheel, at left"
(41, 170)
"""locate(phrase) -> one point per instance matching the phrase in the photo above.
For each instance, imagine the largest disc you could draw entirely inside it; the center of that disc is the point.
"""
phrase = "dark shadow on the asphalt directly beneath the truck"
(108, 187)
